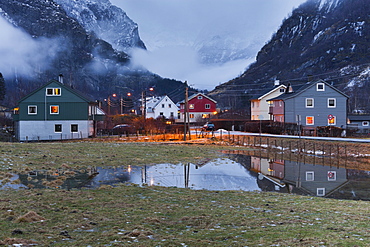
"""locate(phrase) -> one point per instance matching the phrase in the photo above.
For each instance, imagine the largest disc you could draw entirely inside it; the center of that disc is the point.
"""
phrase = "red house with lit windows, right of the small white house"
(200, 108)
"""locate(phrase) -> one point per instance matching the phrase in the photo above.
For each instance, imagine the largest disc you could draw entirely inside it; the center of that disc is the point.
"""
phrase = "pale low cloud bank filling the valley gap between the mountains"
(183, 63)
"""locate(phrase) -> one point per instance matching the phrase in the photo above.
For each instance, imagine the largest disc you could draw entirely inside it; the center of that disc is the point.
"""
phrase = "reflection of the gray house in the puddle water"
(313, 179)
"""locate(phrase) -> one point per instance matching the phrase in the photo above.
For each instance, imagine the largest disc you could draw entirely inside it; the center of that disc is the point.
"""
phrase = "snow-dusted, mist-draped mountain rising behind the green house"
(85, 40)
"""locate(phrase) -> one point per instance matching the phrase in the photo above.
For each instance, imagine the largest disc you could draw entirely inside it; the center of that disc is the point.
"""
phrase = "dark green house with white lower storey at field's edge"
(54, 112)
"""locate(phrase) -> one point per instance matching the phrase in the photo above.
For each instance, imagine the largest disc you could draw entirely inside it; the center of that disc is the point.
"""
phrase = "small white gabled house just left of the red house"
(161, 107)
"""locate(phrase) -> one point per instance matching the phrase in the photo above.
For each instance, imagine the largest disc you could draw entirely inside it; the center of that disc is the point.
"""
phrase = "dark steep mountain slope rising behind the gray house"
(322, 39)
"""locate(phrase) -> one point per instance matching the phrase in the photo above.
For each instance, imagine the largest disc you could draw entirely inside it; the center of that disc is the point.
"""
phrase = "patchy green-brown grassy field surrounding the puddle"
(130, 215)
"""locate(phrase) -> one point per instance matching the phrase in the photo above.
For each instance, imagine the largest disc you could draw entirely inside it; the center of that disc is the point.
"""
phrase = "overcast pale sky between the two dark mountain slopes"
(173, 29)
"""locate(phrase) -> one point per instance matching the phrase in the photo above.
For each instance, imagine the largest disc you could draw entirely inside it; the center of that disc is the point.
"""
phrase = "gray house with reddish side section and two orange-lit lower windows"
(311, 104)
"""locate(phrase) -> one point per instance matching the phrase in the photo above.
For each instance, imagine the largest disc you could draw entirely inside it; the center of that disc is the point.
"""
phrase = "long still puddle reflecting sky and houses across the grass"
(236, 172)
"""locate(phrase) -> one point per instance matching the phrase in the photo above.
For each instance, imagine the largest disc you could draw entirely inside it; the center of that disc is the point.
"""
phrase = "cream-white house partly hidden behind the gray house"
(260, 105)
